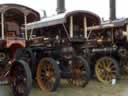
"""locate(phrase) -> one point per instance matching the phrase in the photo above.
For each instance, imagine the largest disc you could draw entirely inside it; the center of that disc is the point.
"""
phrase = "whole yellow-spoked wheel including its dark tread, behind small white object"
(106, 69)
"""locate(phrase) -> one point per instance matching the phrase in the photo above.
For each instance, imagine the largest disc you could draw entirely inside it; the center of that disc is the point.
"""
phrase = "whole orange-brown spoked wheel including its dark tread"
(48, 74)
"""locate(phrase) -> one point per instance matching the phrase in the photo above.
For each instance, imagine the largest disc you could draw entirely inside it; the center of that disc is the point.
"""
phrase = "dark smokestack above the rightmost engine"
(112, 9)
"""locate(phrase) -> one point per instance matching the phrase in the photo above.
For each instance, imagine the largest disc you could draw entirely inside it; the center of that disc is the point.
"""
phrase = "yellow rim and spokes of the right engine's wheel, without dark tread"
(104, 73)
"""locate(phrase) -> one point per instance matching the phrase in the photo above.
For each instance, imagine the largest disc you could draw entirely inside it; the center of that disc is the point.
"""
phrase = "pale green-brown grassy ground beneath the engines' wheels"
(94, 88)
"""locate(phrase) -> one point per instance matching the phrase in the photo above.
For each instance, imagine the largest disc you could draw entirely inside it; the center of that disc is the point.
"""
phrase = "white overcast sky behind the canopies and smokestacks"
(100, 7)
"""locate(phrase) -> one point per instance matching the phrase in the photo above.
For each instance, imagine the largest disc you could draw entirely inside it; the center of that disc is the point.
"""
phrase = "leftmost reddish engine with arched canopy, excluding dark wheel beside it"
(12, 33)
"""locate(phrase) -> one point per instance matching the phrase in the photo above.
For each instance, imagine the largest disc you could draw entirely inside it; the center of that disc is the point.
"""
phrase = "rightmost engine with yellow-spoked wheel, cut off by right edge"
(107, 47)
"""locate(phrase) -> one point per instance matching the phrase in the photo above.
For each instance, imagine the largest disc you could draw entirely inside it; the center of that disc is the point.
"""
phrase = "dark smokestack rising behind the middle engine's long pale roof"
(60, 6)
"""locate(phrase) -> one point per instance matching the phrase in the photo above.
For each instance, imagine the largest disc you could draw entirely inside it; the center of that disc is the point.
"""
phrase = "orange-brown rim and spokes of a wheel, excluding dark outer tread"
(45, 75)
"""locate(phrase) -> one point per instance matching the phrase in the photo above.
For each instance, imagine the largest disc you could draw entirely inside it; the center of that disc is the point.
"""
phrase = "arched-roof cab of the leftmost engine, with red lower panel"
(13, 18)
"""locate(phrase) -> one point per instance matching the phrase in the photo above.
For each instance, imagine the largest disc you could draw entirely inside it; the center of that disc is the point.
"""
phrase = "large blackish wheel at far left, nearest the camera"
(20, 78)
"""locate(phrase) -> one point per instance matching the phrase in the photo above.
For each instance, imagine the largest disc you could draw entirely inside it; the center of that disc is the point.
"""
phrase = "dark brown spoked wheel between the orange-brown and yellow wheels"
(80, 72)
